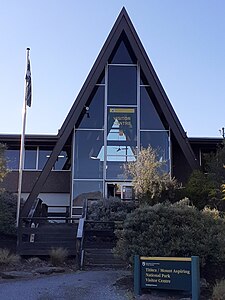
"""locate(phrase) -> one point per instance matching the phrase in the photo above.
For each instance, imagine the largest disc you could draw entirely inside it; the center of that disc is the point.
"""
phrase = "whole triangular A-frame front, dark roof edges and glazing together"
(121, 107)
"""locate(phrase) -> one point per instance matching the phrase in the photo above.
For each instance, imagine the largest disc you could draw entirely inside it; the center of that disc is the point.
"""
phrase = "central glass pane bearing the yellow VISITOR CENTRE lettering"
(122, 124)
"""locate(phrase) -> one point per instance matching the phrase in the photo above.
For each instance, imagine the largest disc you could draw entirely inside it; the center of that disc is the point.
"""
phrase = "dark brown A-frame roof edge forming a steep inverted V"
(123, 25)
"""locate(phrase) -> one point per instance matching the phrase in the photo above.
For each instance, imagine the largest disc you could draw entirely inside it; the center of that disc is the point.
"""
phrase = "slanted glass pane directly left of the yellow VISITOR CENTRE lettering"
(93, 114)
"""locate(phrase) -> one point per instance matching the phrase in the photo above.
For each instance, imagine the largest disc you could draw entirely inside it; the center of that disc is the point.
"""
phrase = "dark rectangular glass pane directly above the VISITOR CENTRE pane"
(122, 85)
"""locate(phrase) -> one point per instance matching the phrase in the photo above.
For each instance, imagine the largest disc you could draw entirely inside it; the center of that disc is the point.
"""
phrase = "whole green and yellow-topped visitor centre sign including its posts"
(168, 273)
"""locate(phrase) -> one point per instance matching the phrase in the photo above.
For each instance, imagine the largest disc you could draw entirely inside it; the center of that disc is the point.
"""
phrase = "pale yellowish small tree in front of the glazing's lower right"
(150, 183)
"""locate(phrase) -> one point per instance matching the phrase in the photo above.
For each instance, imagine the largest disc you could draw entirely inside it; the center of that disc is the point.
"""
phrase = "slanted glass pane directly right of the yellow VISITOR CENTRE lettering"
(149, 116)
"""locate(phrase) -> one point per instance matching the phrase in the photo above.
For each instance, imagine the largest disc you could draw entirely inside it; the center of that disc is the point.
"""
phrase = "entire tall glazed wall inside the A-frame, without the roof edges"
(120, 116)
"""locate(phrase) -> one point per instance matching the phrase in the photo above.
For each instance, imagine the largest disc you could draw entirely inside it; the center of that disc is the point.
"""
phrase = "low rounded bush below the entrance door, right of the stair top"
(112, 209)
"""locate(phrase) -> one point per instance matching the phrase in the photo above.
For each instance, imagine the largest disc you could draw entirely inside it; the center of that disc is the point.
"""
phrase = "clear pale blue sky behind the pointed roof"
(185, 41)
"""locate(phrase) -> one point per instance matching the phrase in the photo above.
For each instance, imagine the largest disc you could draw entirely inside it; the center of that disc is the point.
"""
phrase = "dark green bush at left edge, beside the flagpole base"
(8, 204)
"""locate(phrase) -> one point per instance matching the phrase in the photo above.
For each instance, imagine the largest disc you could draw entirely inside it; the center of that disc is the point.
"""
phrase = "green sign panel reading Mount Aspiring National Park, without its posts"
(166, 273)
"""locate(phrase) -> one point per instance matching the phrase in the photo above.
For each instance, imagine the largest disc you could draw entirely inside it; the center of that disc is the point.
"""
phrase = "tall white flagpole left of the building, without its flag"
(22, 150)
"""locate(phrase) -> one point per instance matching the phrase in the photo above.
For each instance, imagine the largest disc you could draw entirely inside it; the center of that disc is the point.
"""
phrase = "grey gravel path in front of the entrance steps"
(84, 285)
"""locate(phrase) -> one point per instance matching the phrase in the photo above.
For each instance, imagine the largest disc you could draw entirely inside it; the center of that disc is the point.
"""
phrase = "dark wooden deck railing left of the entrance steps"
(40, 230)
